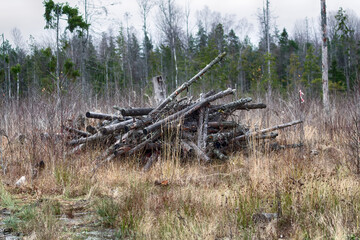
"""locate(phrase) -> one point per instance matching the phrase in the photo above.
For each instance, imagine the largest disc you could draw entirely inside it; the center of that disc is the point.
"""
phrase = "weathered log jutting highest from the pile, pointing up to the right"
(185, 85)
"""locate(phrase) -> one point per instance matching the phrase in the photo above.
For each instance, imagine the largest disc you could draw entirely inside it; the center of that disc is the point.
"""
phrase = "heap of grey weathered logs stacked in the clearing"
(194, 127)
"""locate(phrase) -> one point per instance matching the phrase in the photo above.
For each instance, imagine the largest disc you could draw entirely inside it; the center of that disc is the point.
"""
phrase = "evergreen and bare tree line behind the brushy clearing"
(124, 59)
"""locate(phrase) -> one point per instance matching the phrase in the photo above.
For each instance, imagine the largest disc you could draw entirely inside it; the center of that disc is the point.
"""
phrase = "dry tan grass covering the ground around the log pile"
(318, 195)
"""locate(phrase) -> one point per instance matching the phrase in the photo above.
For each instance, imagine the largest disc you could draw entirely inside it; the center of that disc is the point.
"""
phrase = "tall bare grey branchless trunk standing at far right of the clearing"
(325, 67)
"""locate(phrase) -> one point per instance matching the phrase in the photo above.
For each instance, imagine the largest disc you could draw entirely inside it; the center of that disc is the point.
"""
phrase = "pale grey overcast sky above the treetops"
(27, 15)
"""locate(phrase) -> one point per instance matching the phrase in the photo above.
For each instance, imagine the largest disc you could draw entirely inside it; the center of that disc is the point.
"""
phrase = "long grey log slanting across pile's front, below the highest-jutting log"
(186, 111)
